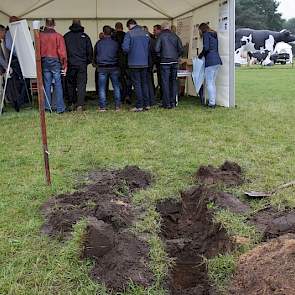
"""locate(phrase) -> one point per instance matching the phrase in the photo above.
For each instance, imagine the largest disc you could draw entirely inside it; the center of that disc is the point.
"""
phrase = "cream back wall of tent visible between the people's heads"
(93, 28)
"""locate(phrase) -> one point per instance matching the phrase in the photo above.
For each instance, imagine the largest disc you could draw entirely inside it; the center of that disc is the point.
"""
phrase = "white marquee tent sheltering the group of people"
(186, 14)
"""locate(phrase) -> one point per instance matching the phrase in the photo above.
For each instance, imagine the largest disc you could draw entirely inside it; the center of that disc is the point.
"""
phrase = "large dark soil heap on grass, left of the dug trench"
(120, 257)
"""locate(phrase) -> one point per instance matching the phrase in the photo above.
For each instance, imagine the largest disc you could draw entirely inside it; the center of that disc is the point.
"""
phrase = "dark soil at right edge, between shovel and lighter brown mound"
(273, 223)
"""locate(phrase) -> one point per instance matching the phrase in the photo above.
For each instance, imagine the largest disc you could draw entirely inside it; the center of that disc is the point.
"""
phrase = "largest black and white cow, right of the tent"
(259, 42)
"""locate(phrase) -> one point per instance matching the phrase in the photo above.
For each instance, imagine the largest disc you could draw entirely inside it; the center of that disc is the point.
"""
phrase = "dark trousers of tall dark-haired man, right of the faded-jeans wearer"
(139, 77)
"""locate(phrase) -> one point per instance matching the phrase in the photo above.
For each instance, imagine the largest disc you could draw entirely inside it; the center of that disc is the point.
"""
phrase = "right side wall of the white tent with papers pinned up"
(225, 79)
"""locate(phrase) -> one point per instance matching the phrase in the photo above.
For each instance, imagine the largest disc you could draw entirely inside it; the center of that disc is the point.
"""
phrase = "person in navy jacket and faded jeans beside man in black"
(107, 58)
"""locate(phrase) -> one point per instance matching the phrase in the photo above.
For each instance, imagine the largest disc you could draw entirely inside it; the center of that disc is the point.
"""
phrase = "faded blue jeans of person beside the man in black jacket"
(103, 78)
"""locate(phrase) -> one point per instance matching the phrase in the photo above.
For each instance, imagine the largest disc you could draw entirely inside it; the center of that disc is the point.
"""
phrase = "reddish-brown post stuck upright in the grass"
(42, 105)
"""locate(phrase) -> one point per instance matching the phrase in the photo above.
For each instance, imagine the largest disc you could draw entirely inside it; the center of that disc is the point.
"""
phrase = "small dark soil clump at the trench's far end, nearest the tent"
(229, 174)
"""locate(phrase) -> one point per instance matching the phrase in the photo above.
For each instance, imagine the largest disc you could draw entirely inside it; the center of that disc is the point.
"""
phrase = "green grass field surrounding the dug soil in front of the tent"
(258, 134)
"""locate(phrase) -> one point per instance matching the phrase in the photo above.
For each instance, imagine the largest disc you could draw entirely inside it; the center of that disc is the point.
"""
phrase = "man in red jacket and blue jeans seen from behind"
(54, 62)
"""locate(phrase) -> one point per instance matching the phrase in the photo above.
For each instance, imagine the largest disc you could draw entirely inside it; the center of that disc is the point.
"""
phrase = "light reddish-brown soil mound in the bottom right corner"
(269, 269)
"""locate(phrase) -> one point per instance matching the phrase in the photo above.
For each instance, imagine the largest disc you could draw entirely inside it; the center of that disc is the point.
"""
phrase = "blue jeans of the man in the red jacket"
(52, 71)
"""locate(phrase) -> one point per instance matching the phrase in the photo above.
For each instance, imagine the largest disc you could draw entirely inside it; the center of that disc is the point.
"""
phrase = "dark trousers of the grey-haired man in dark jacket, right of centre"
(169, 84)
